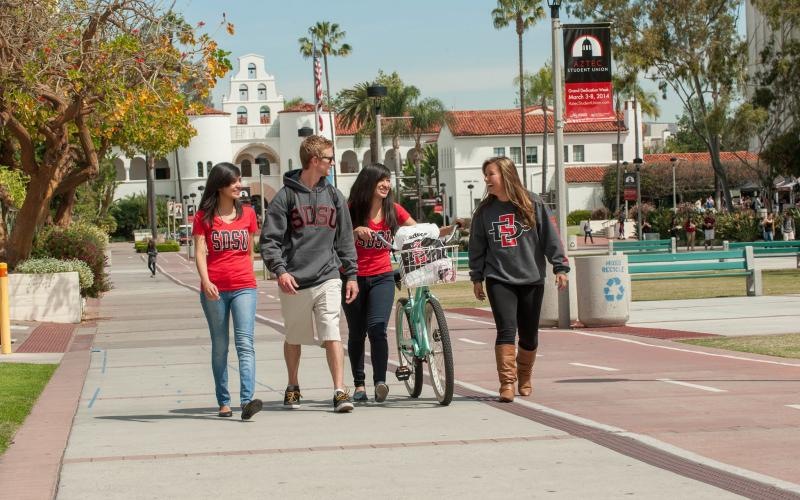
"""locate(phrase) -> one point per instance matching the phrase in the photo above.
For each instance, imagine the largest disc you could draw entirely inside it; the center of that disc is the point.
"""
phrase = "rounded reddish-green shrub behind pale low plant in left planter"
(78, 241)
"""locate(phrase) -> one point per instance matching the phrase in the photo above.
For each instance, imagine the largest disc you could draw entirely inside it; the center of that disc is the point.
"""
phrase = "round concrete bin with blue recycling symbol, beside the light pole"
(604, 294)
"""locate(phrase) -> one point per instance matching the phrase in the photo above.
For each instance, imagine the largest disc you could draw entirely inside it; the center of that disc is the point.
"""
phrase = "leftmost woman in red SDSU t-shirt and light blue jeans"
(223, 233)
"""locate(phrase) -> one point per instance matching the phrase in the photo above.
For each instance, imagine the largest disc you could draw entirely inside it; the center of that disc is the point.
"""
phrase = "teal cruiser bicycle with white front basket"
(420, 323)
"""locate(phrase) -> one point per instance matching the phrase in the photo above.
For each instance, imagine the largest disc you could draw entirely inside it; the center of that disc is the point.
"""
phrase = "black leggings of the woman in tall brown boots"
(516, 307)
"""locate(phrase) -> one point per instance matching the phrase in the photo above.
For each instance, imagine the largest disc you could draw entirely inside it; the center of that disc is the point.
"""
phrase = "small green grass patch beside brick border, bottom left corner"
(20, 385)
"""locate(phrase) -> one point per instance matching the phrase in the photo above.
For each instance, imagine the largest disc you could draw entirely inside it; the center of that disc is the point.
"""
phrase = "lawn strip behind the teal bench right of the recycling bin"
(776, 282)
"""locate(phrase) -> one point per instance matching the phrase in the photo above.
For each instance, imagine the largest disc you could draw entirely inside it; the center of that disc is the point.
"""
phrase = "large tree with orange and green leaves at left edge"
(77, 78)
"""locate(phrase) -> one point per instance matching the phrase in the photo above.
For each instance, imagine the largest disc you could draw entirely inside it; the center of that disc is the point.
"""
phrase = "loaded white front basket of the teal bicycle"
(424, 259)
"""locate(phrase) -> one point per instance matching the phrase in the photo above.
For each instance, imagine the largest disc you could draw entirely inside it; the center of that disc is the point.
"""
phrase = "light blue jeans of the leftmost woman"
(241, 304)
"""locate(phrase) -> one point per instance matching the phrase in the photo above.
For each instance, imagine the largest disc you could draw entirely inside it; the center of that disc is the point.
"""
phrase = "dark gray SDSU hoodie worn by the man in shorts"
(308, 234)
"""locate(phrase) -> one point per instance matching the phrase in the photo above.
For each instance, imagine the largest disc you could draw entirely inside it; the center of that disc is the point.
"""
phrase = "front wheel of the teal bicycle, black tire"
(440, 359)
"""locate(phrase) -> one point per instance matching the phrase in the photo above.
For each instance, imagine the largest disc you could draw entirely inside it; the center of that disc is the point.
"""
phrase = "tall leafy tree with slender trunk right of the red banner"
(692, 47)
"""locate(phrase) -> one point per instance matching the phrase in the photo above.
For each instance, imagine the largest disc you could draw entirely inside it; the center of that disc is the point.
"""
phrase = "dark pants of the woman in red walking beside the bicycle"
(368, 315)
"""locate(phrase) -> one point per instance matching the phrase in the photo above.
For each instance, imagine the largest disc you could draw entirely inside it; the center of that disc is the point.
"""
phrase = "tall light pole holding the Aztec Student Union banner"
(558, 140)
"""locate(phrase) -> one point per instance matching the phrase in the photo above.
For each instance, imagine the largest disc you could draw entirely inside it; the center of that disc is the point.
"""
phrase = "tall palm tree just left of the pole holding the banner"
(523, 14)
